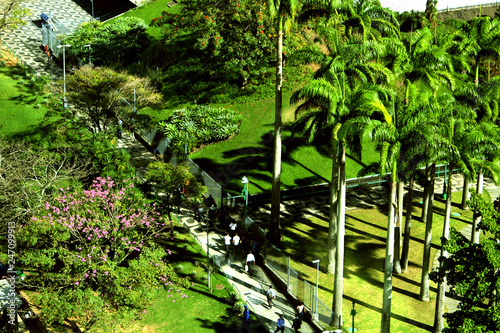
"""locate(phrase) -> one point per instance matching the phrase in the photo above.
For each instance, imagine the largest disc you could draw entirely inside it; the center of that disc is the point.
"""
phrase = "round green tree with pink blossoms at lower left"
(92, 255)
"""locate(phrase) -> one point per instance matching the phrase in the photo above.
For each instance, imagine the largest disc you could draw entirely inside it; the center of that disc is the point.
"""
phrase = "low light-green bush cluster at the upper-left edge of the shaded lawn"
(200, 125)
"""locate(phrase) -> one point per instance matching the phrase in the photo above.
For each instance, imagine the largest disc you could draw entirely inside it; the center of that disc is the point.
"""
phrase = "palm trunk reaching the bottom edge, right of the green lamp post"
(389, 258)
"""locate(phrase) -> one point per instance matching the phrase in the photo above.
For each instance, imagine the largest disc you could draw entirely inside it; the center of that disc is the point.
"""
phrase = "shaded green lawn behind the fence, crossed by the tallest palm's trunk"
(250, 153)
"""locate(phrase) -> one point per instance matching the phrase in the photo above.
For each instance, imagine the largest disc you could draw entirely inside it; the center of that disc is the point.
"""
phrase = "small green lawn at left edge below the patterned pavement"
(18, 112)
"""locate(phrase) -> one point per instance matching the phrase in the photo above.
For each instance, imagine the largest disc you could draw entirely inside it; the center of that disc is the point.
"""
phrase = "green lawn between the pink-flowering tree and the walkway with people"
(194, 309)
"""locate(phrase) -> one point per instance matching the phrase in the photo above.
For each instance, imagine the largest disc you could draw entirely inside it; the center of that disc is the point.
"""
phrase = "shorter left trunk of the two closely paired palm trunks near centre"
(332, 225)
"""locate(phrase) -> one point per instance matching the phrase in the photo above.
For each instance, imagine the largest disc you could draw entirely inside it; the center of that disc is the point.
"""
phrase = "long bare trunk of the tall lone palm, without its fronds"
(274, 228)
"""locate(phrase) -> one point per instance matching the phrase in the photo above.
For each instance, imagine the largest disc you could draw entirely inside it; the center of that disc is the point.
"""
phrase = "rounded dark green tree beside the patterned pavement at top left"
(120, 42)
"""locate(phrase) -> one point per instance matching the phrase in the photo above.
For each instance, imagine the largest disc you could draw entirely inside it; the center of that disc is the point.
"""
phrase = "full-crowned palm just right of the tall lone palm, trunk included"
(329, 101)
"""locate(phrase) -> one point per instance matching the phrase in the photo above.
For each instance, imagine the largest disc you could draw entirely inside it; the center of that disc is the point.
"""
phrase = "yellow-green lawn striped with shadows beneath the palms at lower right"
(305, 241)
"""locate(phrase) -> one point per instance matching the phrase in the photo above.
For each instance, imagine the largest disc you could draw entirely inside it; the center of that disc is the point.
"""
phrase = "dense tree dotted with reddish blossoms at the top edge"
(233, 38)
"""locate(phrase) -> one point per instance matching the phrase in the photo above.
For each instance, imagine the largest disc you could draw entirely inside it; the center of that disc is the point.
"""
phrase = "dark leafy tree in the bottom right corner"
(472, 273)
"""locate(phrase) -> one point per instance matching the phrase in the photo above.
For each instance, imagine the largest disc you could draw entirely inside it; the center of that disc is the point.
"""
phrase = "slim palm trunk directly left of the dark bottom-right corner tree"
(440, 298)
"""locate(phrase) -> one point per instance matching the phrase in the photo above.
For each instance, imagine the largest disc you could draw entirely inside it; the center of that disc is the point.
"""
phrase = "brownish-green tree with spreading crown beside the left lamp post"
(99, 96)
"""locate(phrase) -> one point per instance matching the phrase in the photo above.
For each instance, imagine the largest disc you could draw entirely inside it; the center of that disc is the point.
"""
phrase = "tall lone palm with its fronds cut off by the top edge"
(283, 12)
